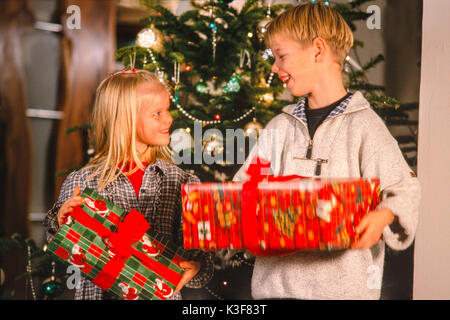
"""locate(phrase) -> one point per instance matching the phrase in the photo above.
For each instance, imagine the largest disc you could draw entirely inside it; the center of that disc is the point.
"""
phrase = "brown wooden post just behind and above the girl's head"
(87, 58)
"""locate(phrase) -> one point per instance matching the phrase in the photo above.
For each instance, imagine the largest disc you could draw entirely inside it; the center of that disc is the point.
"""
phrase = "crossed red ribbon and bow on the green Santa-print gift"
(129, 231)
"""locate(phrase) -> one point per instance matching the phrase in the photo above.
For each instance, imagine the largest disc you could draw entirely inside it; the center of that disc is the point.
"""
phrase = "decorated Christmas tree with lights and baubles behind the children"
(214, 61)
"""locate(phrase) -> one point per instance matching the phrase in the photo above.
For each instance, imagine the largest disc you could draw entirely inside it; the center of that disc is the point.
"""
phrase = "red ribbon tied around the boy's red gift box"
(258, 171)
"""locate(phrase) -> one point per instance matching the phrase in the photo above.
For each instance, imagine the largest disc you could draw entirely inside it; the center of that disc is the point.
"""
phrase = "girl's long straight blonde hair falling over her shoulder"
(114, 117)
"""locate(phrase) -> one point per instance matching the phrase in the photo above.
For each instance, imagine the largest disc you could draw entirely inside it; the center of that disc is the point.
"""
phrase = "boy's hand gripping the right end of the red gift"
(371, 227)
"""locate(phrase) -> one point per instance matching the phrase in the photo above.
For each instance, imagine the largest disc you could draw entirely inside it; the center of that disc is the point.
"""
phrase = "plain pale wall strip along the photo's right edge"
(432, 251)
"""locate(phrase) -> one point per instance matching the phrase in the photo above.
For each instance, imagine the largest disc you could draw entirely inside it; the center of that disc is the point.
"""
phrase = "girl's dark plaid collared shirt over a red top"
(159, 201)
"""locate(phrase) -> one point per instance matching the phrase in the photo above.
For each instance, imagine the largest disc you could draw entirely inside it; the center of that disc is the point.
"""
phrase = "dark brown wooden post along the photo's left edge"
(15, 139)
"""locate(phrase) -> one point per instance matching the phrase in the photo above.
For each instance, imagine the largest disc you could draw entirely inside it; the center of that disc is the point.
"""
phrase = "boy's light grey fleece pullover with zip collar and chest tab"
(353, 142)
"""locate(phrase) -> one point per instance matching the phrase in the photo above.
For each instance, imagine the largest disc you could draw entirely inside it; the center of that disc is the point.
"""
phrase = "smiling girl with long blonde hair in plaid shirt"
(132, 167)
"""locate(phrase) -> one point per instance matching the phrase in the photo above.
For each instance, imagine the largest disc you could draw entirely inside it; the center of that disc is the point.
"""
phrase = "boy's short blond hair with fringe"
(306, 22)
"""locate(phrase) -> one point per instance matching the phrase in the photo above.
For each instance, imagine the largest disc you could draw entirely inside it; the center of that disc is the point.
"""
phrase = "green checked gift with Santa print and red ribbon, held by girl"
(117, 251)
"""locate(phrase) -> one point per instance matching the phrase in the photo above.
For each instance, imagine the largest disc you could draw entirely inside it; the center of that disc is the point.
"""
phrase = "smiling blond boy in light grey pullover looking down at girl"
(330, 133)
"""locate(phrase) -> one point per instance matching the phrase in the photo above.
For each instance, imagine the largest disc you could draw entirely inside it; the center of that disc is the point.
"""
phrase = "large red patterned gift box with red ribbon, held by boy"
(274, 215)
